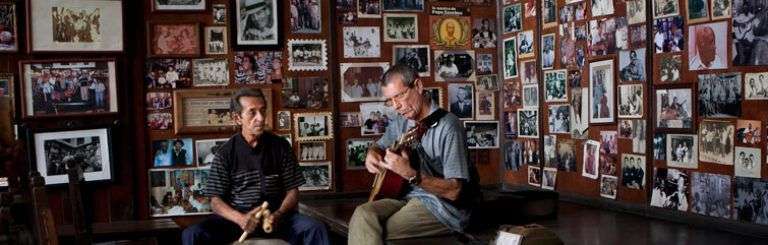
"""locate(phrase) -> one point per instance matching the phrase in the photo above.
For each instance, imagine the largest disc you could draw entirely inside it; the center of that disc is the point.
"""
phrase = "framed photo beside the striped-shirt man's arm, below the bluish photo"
(167, 199)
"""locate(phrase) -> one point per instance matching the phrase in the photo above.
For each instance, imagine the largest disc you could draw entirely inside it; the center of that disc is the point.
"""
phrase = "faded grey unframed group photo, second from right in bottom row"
(711, 194)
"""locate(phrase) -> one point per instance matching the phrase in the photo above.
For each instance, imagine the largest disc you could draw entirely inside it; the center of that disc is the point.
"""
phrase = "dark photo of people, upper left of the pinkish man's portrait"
(668, 33)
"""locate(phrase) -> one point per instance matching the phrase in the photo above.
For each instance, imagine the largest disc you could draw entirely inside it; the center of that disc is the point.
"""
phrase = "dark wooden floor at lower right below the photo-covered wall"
(578, 224)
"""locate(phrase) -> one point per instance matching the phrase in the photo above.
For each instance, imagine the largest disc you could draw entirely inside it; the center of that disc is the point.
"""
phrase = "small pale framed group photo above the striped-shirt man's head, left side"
(210, 72)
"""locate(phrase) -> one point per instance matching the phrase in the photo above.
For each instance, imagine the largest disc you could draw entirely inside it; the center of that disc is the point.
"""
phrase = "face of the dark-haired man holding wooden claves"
(253, 115)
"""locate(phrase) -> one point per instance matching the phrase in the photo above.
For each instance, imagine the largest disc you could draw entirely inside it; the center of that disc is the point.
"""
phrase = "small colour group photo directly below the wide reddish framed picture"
(168, 73)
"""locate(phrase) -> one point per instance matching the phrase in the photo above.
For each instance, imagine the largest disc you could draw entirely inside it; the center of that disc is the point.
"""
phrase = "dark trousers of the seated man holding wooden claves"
(294, 228)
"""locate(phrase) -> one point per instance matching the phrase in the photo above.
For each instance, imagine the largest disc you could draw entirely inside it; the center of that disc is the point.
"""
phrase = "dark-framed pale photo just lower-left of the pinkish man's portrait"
(673, 108)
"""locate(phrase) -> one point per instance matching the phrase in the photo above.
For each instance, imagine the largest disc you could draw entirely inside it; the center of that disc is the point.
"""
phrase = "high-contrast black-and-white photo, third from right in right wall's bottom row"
(670, 189)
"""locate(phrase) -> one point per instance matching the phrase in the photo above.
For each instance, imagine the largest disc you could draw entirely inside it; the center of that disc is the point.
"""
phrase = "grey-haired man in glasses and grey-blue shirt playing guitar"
(442, 183)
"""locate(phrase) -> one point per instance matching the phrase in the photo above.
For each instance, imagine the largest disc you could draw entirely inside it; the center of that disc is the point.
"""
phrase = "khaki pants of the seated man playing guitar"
(392, 219)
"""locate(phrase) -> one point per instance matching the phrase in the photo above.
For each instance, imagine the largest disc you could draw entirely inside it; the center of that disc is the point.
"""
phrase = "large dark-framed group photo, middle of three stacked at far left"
(95, 94)
